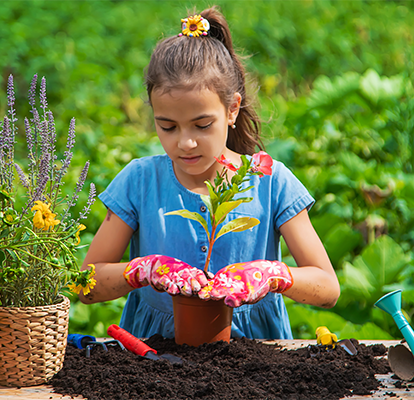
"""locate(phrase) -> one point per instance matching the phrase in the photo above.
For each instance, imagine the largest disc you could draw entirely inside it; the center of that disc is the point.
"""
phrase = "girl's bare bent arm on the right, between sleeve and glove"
(315, 281)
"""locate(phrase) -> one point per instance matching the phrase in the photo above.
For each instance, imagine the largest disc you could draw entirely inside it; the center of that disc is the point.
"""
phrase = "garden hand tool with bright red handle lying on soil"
(137, 346)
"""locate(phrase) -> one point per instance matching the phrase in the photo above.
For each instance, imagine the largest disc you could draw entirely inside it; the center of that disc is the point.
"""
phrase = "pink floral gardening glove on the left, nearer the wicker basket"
(164, 273)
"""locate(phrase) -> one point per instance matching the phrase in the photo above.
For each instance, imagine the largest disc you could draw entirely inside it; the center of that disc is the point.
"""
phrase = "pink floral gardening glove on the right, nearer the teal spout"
(247, 282)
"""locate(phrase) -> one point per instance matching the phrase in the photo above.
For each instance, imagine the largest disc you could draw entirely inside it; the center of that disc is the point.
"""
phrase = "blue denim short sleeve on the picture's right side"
(290, 195)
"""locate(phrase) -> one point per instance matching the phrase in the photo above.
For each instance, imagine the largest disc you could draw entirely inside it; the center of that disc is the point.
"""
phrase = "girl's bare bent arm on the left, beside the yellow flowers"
(105, 252)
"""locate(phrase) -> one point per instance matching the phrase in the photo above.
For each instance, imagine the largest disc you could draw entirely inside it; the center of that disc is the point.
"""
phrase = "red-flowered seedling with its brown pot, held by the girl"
(198, 321)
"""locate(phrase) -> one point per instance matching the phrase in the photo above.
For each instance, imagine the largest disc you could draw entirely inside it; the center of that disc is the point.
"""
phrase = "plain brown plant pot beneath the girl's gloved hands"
(198, 321)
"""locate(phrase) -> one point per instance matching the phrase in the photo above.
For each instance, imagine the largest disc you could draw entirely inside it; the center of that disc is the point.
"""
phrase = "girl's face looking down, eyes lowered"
(192, 127)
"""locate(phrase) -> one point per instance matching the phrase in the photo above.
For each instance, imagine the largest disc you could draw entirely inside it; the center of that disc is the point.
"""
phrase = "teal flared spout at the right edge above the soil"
(391, 303)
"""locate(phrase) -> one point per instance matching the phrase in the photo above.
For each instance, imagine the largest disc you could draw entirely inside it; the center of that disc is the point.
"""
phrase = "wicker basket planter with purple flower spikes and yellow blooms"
(38, 241)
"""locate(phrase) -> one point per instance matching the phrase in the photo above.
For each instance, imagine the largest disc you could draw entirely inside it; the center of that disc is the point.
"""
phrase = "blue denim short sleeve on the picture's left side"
(119, 195)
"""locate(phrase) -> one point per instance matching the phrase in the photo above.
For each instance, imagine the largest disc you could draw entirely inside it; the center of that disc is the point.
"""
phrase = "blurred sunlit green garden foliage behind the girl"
(334, 80)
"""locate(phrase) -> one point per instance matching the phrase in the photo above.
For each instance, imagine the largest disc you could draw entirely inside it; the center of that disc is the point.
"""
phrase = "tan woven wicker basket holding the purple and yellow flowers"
(32, 343)
